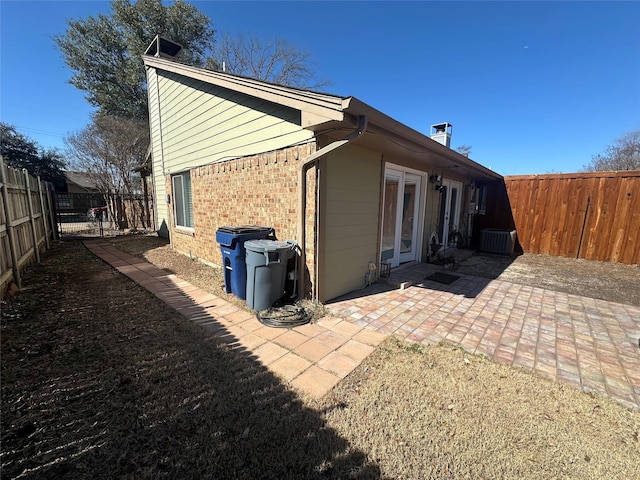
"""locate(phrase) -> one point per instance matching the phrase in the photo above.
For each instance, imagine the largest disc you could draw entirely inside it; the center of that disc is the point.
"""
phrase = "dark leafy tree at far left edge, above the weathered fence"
(18, 151)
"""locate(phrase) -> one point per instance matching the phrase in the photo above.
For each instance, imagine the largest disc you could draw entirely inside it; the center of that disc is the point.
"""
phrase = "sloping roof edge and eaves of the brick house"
(332, 114)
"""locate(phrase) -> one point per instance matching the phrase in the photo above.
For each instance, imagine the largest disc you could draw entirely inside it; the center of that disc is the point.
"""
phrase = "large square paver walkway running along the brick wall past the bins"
(313, 358)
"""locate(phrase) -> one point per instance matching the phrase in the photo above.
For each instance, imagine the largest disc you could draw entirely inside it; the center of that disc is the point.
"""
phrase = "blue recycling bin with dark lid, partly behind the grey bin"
(231, 240)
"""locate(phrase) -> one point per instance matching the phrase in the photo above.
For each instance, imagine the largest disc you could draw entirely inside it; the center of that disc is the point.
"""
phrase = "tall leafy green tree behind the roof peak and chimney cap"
(105, 52)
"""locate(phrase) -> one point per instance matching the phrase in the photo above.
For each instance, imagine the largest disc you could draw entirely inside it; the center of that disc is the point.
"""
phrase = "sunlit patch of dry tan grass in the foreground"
(441, 413)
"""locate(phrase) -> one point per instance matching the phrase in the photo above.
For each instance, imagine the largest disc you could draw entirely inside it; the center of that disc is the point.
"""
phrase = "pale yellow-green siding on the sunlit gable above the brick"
(194, 123)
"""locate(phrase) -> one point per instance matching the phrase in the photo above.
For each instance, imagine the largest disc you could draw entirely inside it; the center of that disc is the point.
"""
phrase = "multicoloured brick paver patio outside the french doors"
(590, 343)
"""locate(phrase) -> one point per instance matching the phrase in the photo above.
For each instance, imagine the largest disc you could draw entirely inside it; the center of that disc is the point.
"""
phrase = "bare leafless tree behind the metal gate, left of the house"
(109, 149)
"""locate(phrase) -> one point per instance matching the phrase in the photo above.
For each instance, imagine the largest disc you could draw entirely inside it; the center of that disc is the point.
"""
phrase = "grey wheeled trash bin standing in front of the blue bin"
(266, 271)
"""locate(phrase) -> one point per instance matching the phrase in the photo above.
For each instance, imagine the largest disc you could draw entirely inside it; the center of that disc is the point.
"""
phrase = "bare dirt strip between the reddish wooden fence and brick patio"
(614, 282)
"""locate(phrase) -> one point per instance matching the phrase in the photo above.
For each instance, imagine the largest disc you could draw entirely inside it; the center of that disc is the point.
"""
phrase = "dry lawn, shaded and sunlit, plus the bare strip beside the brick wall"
(99, 380)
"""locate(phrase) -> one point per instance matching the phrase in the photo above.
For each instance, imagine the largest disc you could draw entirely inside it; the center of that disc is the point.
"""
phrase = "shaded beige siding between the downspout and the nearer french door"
(350, 207)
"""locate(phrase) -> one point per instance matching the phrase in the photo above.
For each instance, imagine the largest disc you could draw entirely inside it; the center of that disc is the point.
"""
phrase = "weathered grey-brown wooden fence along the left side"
(27, 222)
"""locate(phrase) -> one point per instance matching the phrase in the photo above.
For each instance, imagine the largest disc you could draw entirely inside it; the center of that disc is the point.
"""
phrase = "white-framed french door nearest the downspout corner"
(400, 218)
